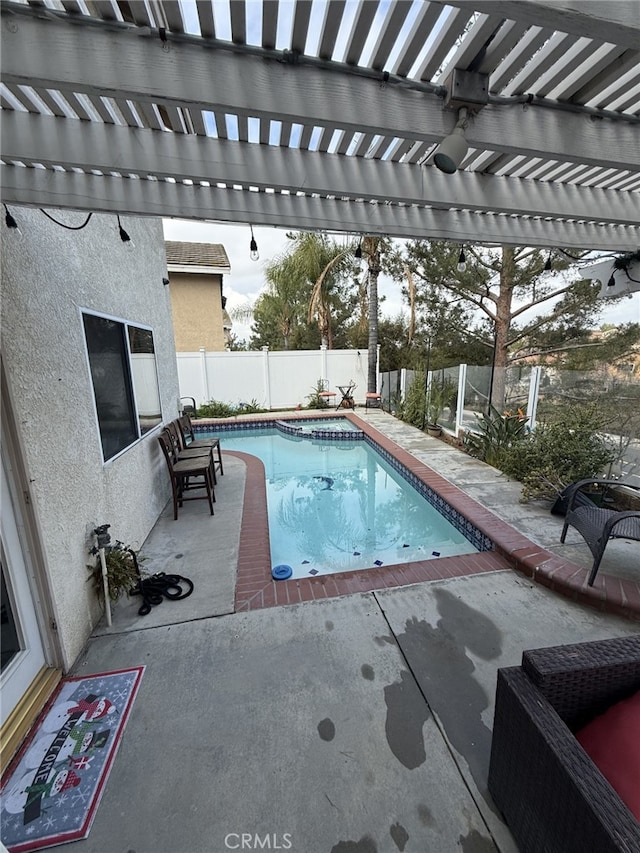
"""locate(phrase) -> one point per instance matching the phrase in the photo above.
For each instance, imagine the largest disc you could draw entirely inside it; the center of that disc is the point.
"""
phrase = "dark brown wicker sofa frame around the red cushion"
(553, 797)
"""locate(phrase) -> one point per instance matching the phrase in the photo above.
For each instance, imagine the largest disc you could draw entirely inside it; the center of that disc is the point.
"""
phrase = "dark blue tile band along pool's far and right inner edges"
(478, 539)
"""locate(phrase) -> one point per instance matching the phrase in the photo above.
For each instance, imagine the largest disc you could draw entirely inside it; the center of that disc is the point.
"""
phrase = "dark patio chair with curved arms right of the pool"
(597, 525)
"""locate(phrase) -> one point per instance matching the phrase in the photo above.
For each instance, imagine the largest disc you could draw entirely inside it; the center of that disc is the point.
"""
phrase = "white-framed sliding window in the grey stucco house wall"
(125, 381)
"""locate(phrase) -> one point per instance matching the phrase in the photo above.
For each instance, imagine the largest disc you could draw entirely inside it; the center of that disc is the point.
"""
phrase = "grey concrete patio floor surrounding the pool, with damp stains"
(357, 724)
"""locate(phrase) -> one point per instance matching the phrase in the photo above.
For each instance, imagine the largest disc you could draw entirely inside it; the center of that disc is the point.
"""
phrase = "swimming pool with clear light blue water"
(339, 506)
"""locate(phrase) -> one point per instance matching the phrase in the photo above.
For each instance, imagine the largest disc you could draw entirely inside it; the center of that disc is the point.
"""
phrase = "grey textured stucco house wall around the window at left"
(48, 275)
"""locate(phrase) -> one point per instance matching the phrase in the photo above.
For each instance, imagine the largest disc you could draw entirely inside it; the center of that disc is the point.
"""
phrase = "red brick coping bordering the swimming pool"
(255, 588)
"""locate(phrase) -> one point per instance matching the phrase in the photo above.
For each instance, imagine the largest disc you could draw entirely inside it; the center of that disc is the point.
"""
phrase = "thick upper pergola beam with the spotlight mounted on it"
(133, 64)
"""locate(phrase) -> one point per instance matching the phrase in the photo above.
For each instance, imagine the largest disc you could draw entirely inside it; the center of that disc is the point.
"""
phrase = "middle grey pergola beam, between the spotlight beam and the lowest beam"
(109, 148)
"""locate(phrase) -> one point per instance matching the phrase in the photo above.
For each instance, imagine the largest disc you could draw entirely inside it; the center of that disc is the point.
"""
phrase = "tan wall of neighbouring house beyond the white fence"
(196, 302)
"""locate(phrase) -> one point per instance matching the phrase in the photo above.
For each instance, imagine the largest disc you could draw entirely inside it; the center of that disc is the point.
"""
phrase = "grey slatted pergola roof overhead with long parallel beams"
(326, 115)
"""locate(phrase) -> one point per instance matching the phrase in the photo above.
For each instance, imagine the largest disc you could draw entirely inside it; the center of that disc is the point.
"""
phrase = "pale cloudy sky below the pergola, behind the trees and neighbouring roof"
(246, 280)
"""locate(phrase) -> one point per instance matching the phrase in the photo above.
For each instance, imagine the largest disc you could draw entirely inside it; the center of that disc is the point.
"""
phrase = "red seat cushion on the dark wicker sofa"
(612, 740)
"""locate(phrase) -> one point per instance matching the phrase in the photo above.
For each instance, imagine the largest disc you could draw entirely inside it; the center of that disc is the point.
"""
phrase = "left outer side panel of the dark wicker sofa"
(550, 793)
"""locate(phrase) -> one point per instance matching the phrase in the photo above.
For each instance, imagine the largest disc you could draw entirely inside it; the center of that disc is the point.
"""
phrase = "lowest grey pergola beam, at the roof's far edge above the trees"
(44, 188)
